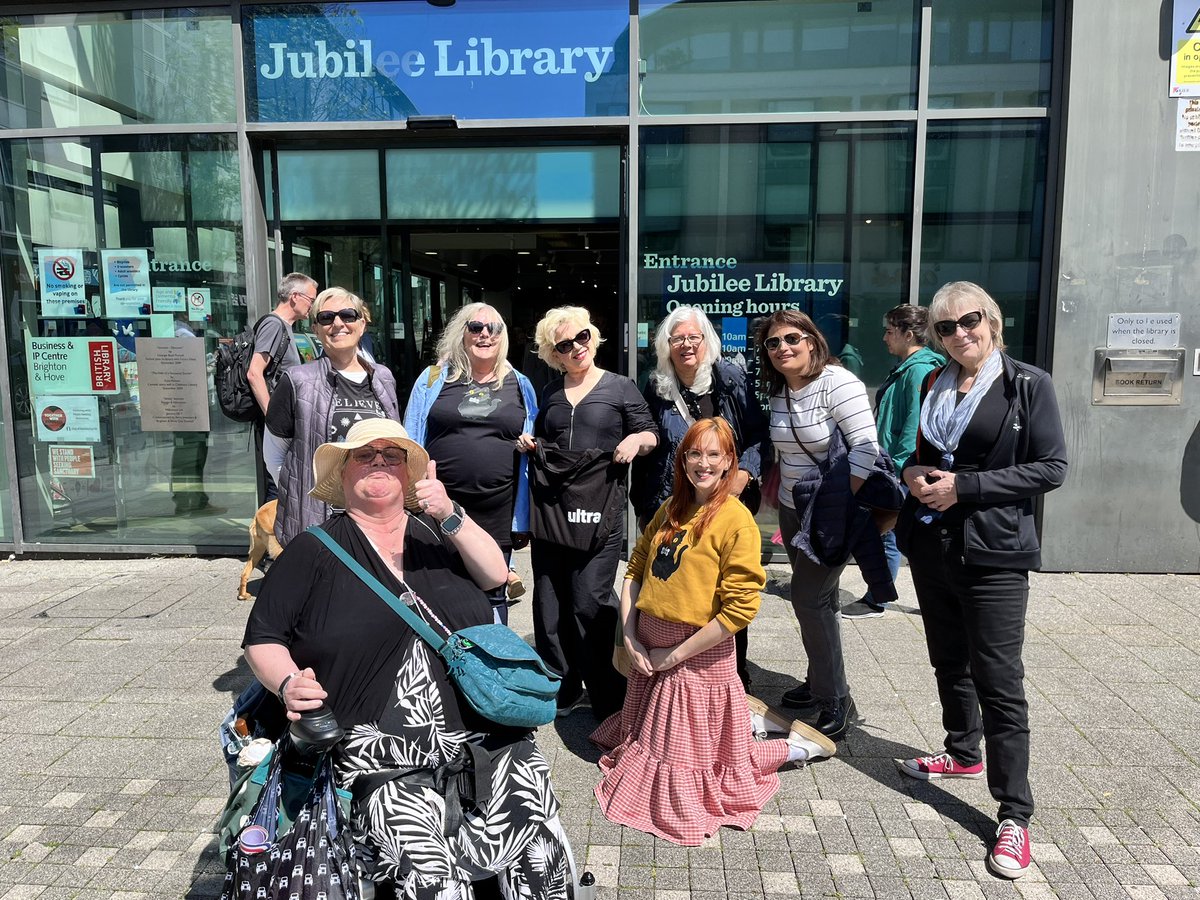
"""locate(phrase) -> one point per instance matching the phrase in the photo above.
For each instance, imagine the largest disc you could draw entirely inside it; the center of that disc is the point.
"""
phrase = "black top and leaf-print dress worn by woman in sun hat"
(393, 695)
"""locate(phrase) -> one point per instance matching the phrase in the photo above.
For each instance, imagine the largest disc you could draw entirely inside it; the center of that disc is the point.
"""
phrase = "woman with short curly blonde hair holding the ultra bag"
(575, 608)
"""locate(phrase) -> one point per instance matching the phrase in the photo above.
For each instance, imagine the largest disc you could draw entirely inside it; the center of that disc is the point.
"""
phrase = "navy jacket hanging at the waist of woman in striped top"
(837, 524)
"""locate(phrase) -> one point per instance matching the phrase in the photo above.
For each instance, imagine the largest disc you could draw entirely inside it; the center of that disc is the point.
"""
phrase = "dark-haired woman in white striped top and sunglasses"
(812, 395)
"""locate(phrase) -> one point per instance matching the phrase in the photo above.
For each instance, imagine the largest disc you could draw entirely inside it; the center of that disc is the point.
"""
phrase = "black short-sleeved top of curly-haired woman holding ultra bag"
(613, 411)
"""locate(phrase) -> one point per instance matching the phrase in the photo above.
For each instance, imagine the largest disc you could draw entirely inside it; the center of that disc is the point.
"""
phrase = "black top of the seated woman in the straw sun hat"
(355, 643)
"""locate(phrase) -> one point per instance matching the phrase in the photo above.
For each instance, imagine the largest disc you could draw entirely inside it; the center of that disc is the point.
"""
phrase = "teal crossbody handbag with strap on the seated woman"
(501, 676)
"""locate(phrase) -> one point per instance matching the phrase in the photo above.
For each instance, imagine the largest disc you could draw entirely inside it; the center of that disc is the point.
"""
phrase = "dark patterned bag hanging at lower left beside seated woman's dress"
(314, 860)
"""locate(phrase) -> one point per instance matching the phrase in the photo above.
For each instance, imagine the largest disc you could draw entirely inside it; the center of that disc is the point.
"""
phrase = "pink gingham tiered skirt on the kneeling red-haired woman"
(682, 760)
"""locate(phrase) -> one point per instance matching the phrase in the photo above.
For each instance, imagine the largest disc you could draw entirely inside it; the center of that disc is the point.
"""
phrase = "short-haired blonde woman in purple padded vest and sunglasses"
(319, 403)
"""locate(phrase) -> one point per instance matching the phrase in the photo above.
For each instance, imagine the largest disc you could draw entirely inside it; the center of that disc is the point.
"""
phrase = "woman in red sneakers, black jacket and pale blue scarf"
(991, 442)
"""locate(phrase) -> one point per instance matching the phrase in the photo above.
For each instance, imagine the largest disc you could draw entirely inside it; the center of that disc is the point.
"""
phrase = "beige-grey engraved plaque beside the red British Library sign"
(173, 385)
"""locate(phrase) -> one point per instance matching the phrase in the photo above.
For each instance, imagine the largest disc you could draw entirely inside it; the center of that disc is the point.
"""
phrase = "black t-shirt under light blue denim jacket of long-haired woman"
(471, 434)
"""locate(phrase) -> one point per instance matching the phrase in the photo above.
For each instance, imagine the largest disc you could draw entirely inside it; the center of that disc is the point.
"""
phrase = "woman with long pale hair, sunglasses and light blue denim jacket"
(467, 411)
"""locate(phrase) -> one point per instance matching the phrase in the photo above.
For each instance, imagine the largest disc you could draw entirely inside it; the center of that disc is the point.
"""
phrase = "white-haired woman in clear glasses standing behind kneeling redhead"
(692, 382)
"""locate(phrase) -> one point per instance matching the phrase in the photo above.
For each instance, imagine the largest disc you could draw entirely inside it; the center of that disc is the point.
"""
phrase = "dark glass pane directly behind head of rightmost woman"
(985, 212)
